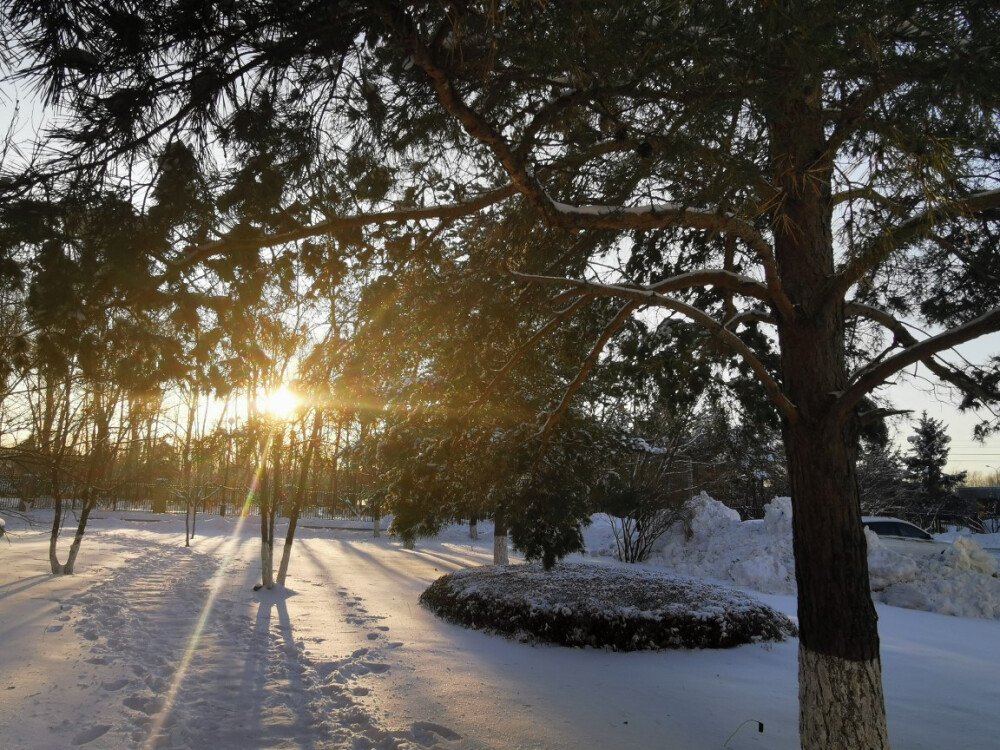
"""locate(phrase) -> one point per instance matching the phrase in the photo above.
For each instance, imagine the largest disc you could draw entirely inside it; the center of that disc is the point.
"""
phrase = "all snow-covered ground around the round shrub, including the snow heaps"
(152, 644)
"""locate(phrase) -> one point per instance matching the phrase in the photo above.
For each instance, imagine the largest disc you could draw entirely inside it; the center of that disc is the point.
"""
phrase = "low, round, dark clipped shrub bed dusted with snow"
(622, 609)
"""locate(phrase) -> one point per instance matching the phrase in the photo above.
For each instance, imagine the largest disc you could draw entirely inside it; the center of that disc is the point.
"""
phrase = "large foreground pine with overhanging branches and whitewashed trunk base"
(786, 182)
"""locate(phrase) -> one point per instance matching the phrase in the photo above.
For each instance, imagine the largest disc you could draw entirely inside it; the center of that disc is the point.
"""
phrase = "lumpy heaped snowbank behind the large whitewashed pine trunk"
(714, 543)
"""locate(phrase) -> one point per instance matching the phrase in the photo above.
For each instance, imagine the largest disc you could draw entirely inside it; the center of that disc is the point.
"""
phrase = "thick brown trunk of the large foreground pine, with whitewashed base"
(841, 702)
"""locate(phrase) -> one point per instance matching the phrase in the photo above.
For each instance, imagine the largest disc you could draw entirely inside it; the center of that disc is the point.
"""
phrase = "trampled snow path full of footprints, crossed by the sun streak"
(179, 653)
